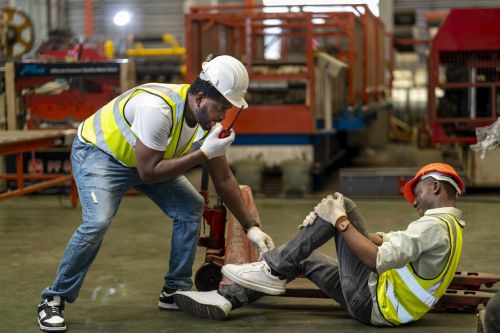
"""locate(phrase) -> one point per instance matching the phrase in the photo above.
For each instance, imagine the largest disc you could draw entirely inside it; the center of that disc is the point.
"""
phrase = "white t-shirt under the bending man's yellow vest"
(153, 123)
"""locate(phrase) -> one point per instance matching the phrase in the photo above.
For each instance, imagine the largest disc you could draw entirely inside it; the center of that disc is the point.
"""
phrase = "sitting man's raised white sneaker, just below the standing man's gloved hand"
(255, 276)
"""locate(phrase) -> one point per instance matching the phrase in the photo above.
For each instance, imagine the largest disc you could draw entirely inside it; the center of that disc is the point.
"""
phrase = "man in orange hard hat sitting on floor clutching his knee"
(383, 279)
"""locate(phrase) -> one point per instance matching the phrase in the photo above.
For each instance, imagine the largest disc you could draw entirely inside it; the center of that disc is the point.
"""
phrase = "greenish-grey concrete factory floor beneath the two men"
(121, 289)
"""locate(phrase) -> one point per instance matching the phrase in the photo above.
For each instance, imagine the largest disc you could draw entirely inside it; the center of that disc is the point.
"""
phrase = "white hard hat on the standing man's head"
(229, 76)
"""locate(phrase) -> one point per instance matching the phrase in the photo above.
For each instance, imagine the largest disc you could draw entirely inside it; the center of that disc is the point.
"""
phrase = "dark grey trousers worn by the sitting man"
(345, 280)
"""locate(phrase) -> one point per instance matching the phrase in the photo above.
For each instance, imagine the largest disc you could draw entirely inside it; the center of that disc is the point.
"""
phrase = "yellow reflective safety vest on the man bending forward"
(109, 130)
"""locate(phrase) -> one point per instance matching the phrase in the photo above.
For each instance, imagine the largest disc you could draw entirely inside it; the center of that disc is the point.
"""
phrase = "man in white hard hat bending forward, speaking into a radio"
(146, 139)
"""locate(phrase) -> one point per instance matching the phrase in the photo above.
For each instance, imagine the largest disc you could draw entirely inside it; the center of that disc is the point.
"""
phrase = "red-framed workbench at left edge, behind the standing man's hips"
(18, 142)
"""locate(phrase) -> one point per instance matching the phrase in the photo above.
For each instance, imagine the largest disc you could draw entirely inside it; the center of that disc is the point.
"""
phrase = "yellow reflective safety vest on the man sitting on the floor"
(403, 296)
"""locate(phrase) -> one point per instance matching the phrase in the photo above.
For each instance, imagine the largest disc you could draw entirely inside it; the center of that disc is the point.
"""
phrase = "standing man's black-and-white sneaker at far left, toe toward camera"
(51, 314)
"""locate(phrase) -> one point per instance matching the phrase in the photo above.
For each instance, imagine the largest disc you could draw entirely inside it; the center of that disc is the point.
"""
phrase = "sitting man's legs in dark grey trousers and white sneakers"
(285, 264)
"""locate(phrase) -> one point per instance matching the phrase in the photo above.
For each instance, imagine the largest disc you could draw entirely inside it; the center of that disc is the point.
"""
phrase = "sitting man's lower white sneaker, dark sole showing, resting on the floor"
(203, 304)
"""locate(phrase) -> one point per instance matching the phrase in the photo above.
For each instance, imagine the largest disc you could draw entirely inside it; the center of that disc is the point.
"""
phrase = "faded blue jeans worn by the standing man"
(102, 182)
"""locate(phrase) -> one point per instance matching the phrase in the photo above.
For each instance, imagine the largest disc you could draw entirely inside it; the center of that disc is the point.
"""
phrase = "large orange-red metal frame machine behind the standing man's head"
(282, 93)
